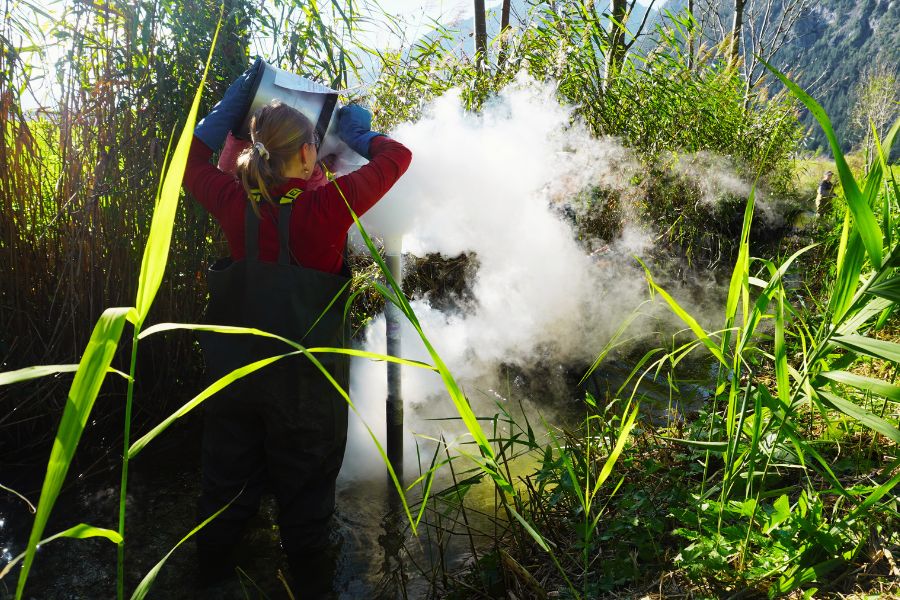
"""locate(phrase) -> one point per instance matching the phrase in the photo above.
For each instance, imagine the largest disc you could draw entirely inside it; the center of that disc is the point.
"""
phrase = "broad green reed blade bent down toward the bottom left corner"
(89, 377)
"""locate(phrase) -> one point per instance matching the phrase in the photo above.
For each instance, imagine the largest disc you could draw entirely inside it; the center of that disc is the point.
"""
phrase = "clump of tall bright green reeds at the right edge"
(761, 422)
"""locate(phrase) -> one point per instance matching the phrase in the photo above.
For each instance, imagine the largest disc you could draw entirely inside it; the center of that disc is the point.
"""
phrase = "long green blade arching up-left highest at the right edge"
(866, 223)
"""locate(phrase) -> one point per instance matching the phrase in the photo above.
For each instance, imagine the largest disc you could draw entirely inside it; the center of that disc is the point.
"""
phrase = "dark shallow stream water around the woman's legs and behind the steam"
(379, 556)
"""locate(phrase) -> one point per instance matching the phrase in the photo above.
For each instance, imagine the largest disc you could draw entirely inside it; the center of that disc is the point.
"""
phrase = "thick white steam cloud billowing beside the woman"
(491, 184)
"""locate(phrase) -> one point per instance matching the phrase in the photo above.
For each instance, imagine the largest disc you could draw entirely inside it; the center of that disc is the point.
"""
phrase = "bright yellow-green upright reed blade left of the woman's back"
(156, 252)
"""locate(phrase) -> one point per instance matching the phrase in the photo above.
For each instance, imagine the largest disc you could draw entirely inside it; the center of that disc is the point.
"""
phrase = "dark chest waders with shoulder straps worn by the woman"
(284, 427)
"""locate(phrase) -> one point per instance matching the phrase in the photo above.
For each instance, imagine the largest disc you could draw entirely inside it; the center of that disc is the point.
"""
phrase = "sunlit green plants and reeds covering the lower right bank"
(782, 480)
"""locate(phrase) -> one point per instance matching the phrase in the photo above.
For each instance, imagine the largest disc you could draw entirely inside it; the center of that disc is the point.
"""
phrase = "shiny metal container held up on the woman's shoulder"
(316, 101)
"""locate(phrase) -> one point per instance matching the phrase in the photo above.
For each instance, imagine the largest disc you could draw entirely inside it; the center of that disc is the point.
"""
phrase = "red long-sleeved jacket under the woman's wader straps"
(319, 220)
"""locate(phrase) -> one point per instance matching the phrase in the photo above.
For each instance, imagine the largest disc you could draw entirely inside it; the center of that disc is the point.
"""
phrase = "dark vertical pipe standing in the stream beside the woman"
(394, 404)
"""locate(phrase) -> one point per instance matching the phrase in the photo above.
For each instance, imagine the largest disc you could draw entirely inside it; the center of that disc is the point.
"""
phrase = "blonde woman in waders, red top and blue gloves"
(284, 427)
